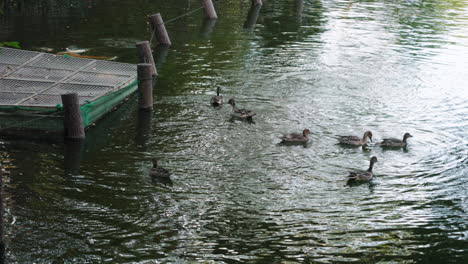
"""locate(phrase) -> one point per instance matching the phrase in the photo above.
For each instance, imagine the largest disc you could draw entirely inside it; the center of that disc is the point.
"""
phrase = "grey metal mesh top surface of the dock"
(35, 79)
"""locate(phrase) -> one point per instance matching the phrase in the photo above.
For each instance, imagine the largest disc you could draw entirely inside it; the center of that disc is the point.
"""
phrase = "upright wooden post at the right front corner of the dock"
(145, 87)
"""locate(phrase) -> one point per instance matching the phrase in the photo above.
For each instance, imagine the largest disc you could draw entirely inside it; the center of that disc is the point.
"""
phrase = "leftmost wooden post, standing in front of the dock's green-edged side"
(72, 122)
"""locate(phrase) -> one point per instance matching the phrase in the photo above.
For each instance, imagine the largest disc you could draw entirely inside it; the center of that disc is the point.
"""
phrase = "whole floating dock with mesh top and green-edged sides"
(31, 85)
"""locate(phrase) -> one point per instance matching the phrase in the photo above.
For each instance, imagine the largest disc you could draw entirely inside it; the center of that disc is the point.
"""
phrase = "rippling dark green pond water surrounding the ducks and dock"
(335, 67)
